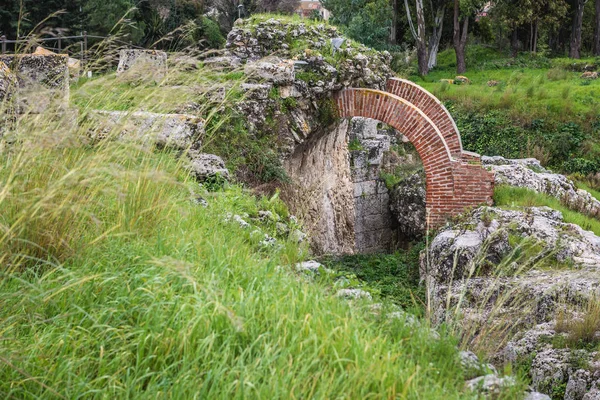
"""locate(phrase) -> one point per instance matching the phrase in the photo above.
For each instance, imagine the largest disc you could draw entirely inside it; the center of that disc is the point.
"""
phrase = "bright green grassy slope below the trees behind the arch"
(529, 87)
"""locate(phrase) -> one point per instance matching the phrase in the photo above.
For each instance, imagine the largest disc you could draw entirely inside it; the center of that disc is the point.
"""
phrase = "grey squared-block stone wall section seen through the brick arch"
(373, 224)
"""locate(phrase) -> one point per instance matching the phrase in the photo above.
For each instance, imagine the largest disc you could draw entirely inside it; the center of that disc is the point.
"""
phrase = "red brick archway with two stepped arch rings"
(455, 178)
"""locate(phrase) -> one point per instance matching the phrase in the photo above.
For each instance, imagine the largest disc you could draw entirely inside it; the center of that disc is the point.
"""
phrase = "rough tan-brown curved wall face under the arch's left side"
(324, 192)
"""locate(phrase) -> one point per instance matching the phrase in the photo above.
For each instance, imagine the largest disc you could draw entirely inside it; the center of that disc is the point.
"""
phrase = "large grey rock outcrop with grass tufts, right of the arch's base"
(504, 275)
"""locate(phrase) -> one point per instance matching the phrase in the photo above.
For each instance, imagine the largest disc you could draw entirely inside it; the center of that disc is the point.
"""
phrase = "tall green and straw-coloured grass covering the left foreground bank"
(115, 284)
